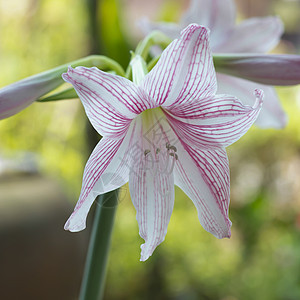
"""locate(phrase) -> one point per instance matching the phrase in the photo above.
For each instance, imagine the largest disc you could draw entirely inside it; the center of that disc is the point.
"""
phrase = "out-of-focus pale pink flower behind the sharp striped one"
(255, 35)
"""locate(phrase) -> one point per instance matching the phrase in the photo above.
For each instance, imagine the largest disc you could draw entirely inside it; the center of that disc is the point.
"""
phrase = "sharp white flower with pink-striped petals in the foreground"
(167, 127)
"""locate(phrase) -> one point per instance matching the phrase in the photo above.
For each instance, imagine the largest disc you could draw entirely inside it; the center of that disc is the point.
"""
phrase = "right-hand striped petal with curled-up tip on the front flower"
(214, 122)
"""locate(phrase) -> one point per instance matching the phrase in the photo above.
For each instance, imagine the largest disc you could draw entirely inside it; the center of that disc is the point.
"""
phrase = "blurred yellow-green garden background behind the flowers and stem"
(44, 148)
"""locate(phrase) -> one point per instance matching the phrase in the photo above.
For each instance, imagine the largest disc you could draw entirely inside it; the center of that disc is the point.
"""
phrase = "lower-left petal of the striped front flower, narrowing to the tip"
(107, 169)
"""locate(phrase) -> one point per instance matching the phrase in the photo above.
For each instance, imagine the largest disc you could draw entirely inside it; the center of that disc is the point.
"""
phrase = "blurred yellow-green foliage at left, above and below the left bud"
(36, 36)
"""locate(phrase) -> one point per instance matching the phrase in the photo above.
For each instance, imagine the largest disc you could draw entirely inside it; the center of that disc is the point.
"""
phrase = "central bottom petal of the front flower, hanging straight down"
(151, 182)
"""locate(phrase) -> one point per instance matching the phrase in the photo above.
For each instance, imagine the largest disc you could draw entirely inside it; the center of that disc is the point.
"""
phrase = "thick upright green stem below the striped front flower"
(92, 286)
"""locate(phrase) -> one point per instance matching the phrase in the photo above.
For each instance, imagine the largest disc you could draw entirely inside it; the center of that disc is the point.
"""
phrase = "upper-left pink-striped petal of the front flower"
(110, 101)
